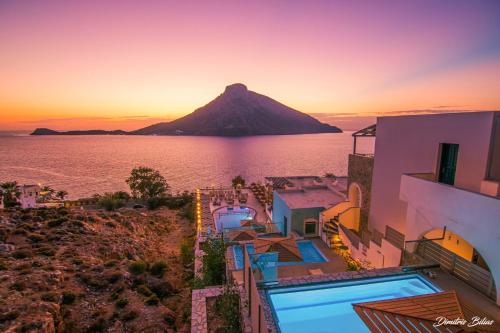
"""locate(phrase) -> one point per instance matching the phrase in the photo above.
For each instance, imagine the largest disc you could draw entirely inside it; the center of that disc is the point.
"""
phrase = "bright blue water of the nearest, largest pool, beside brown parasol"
(328, 308)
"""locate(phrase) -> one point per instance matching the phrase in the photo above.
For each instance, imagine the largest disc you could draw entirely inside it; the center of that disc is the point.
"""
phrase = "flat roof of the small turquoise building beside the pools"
(310, 197)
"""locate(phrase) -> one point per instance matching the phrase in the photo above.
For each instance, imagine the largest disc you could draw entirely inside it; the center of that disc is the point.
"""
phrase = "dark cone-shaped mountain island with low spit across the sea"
(236, 112)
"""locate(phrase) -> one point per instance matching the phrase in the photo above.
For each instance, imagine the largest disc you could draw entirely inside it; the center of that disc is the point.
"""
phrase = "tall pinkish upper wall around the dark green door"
(410, 144)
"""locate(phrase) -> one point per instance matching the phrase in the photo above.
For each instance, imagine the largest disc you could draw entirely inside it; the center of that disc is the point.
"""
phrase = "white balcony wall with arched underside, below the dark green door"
(471, 215)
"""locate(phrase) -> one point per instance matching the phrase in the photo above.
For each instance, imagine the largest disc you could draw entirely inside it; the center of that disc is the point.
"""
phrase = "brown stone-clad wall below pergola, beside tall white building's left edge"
(360, 171)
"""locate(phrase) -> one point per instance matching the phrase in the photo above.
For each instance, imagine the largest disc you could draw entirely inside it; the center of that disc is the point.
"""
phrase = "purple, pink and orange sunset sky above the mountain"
(126, 64)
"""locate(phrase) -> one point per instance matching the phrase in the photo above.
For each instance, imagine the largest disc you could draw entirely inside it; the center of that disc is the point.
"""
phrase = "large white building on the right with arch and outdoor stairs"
(435, 177)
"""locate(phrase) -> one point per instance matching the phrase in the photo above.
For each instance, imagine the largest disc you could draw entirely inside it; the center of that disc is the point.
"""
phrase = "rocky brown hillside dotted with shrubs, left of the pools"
(93, 271)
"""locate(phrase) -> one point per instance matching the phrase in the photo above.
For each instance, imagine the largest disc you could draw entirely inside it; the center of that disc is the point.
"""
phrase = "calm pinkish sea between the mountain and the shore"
(84, 165)
